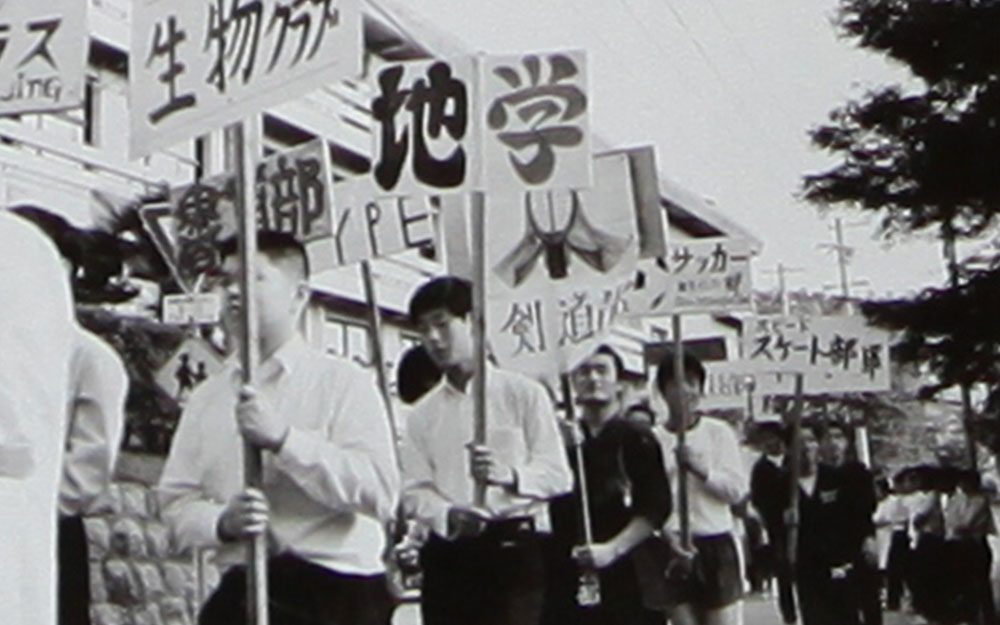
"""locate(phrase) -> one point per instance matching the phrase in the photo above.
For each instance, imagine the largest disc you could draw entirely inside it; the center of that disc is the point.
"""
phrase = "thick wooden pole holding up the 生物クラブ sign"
(240, 160)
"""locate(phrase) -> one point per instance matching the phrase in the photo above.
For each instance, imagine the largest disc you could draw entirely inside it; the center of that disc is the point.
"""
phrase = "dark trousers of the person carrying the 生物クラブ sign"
(303, 593)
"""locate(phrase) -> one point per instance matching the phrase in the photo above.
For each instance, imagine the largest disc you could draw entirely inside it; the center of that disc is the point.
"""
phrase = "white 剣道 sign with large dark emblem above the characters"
(558, 265)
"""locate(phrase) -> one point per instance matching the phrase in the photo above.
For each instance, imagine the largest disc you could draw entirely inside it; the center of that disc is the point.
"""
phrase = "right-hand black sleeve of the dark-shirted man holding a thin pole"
(643, 463)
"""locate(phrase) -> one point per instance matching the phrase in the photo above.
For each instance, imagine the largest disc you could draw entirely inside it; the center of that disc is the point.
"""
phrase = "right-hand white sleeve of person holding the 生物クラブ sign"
(352, 464)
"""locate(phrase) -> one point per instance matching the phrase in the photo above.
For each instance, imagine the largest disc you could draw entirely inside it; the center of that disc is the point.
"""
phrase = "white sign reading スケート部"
(836, 353)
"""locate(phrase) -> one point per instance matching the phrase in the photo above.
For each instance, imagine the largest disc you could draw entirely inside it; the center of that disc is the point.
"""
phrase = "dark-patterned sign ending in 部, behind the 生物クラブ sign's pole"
(293, 194)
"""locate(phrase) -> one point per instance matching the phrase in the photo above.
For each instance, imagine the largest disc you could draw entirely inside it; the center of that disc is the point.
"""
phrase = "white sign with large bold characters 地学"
(489, 123)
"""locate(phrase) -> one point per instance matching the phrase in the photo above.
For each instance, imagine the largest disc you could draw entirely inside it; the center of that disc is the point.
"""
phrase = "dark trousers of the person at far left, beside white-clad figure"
(74, 572)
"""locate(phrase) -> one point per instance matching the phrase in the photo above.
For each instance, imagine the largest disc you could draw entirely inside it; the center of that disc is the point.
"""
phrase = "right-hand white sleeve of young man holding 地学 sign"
(546, 472)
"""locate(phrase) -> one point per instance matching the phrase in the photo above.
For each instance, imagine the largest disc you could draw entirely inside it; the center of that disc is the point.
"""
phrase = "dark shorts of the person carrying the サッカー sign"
(715, 579)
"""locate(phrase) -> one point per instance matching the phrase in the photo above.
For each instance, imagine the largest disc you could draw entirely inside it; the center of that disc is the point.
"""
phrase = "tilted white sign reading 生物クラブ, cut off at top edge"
(199, 64)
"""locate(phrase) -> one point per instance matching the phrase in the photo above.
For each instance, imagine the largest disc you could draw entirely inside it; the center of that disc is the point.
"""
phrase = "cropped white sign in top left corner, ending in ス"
(43, 53)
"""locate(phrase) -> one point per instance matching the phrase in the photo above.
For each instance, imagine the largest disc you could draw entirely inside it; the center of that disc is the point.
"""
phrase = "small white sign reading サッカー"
(695, 275)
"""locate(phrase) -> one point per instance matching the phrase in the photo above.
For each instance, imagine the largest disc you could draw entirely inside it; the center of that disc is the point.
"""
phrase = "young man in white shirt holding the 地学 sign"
(481, 564)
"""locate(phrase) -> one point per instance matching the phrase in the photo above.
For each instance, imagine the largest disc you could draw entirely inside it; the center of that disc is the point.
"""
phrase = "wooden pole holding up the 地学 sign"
(479, 329)
